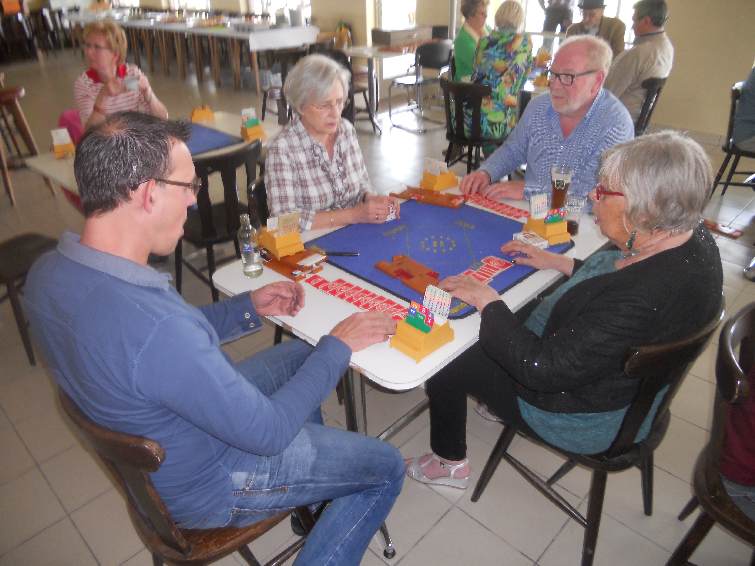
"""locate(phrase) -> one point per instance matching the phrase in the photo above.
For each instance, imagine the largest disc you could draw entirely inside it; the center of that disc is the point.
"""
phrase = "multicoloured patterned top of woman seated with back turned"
(503, 61)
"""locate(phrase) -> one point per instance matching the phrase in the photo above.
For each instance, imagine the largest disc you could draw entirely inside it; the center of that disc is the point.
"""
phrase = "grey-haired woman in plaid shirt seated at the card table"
(314, 166)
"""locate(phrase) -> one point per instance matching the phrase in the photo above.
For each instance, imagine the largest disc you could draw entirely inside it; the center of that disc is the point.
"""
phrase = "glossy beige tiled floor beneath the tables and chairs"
(58, 507)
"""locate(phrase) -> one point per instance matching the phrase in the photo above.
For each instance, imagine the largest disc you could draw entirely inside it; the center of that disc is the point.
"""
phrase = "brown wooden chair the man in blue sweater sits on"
(131, 460)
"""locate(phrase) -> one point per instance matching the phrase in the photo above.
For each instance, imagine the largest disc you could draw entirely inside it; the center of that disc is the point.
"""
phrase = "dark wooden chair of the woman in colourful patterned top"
(461, 100)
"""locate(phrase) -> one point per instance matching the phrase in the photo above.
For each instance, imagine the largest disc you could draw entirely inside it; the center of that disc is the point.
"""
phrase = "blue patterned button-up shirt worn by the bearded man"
(537, 140)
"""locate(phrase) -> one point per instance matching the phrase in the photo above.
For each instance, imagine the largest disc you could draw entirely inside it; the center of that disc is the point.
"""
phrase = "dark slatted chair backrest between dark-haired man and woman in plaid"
(226, 164)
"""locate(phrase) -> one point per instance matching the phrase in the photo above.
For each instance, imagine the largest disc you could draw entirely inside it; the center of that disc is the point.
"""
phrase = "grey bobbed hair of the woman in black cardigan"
(665, 177)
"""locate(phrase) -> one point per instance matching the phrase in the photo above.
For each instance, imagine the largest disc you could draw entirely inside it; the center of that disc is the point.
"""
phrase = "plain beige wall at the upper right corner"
(714, 47)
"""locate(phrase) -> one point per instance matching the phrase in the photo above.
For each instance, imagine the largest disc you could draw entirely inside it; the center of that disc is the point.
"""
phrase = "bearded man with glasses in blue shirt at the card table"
(571, 126)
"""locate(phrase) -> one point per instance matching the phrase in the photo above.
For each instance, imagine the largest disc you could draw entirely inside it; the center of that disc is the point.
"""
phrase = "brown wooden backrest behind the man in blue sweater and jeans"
(131, 460)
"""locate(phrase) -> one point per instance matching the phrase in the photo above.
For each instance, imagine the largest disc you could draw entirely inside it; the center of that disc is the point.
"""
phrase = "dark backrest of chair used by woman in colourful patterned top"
(460, 99)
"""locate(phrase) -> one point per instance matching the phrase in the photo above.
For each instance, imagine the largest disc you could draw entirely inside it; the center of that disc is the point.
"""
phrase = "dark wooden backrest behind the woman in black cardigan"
(658, 366)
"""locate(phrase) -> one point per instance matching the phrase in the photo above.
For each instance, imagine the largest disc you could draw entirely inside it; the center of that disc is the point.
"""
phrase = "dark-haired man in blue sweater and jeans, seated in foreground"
(242, 440)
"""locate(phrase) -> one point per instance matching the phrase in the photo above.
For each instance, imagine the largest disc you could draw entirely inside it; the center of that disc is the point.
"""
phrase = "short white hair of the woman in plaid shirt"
(311, 79)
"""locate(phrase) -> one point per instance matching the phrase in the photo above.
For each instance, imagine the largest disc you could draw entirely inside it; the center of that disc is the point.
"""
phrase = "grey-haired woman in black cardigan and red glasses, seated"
(560, 373)
